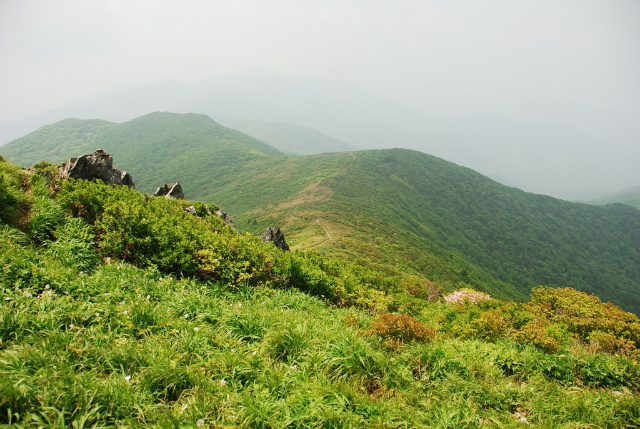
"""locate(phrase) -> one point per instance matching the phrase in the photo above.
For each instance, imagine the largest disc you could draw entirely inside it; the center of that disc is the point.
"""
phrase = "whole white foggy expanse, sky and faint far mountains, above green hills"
(538, 94)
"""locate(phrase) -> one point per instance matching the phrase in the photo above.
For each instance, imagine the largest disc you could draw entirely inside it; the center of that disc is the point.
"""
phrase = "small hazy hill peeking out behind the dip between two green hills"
(292, 139)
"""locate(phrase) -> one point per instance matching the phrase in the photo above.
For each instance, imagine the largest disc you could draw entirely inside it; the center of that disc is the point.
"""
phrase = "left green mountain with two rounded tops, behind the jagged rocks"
(157, 148)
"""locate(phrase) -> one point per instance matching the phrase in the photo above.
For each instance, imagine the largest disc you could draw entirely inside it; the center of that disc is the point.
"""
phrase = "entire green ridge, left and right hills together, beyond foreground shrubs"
(397, 211)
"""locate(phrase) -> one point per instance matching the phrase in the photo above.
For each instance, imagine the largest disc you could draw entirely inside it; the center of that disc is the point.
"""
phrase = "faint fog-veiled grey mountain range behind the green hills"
(548, 159)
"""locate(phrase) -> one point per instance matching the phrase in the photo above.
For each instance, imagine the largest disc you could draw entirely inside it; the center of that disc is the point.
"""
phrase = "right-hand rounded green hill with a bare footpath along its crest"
(416, 212)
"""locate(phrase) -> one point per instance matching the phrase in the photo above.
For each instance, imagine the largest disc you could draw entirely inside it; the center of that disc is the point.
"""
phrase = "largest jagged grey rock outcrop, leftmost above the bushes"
(96, 166)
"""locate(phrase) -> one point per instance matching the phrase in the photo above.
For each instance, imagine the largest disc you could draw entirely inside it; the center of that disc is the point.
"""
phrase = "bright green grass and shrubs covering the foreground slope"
(122, 310)
